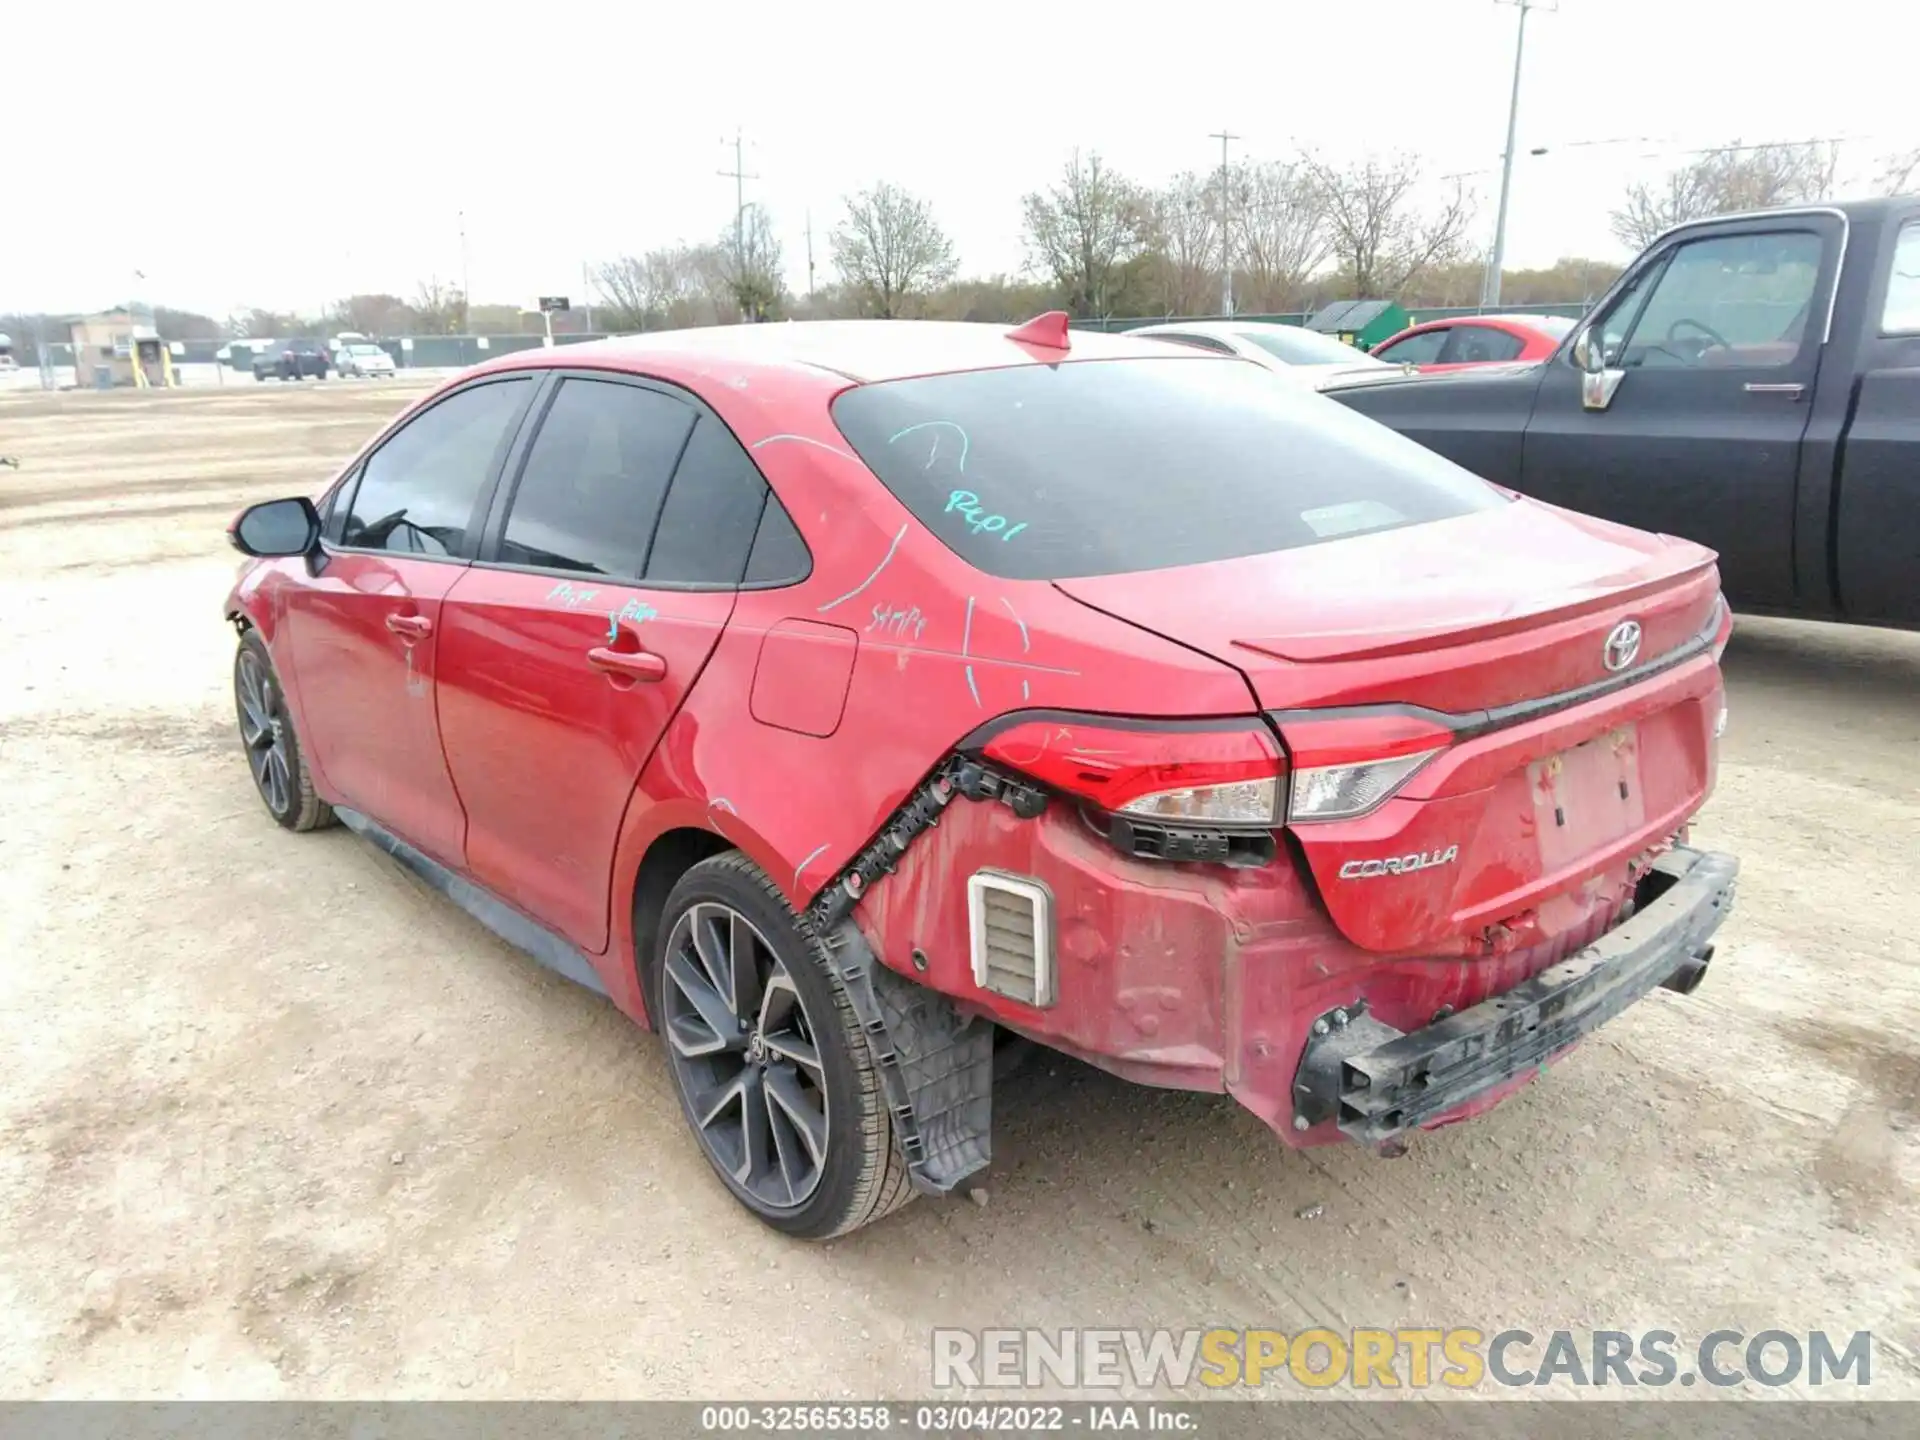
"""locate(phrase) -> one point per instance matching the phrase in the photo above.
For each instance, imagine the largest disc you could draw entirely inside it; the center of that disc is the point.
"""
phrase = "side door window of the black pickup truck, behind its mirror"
(1729, 300)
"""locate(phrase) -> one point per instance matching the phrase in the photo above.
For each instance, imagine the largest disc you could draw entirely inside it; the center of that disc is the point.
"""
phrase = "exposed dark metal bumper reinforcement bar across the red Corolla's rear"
(1381, 1084)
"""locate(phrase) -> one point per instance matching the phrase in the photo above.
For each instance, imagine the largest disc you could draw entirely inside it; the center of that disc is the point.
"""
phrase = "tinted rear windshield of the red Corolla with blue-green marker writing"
(1107, 468)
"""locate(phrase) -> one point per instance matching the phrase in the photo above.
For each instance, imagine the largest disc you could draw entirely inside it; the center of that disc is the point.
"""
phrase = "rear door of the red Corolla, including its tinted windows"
(610, 569)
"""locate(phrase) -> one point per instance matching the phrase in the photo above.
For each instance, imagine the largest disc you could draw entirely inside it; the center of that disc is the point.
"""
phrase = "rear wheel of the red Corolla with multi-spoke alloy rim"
(769, 1059)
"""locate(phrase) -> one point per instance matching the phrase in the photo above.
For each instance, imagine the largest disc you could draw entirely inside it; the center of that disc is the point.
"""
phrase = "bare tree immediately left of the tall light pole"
(1380, 231)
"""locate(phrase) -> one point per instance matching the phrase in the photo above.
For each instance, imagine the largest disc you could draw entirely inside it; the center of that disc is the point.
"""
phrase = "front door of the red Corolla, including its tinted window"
(366, 627)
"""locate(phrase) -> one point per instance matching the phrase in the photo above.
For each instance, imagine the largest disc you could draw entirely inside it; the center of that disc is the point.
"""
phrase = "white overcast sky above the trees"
(285, 156)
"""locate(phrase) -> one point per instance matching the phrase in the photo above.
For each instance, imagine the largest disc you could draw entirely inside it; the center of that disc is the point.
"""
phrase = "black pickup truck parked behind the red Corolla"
(1752, 383)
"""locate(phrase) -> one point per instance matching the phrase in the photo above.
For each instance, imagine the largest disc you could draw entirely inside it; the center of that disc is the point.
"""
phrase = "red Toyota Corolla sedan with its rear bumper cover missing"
(838, 698)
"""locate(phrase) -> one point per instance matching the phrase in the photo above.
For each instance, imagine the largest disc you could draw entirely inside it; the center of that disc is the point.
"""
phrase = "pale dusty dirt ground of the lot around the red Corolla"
(279, 1122)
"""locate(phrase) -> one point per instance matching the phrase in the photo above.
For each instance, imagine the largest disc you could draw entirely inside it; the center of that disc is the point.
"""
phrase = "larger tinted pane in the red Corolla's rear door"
(594, 481)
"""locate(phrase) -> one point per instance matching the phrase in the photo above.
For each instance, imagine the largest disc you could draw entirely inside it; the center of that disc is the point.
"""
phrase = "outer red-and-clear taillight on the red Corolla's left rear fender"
(1201, 775)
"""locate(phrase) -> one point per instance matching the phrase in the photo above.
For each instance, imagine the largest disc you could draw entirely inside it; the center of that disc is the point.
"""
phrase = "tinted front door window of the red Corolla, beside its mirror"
(418, 492)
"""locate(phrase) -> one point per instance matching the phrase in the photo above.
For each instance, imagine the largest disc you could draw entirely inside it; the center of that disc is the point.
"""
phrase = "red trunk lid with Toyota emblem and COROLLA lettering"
(1556, 767)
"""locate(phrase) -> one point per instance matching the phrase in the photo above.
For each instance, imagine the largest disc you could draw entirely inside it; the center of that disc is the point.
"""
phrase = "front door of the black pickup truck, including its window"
(1719, 339)
